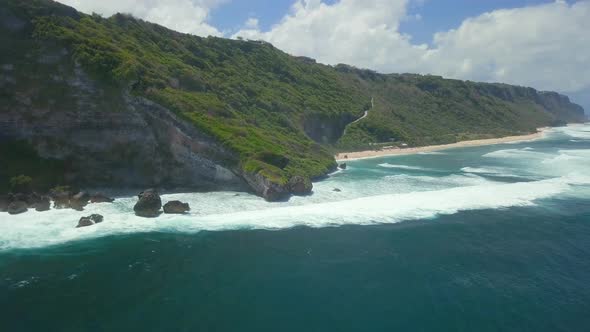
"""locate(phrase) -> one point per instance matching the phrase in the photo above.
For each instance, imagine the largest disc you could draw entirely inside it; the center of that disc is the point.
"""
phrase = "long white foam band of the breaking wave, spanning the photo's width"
(38, 229)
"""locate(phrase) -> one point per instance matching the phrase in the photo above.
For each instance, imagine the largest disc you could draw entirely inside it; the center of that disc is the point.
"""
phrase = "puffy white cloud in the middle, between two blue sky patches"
(363, 33)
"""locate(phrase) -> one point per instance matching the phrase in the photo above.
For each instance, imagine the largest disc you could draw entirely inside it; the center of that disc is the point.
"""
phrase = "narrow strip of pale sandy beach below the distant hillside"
(344, 156)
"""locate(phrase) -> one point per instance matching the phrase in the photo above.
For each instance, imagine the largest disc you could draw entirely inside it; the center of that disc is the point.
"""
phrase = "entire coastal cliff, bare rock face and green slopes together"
(118, 101)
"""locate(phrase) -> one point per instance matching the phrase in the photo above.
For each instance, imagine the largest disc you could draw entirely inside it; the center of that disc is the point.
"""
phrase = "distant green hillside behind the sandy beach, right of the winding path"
(423, 110)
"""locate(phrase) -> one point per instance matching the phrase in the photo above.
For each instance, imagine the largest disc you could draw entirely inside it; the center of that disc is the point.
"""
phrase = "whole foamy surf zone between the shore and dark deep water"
(363, 196)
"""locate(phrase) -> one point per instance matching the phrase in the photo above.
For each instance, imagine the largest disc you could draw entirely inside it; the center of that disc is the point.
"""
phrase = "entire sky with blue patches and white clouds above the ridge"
(543, 44)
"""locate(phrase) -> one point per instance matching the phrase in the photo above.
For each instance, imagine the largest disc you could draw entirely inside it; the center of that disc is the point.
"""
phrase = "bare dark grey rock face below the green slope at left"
(105, 135)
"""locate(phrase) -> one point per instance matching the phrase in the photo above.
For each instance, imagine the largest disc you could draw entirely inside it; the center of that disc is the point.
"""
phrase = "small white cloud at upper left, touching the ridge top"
(189, 16)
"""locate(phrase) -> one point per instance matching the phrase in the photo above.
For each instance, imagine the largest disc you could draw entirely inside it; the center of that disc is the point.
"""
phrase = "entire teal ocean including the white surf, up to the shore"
(490, 238)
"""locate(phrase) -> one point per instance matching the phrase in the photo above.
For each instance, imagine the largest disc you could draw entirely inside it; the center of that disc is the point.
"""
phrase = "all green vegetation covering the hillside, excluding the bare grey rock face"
(282, 115)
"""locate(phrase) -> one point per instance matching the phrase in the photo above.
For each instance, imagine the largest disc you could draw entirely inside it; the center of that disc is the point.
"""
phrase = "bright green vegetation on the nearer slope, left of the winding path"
(248, 95)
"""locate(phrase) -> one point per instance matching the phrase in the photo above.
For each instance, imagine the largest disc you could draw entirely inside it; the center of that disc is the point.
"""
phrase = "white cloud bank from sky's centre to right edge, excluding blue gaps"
(545, 46)
